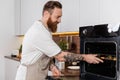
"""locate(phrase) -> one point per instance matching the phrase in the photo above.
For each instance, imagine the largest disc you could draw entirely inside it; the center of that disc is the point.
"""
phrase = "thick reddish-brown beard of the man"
(52, 25)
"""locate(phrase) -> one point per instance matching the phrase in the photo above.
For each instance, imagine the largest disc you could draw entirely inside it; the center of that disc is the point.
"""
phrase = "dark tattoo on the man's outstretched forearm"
(73, 57)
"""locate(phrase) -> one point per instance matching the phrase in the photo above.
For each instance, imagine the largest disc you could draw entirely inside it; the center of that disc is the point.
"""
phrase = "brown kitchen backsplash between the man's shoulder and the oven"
(69, 43)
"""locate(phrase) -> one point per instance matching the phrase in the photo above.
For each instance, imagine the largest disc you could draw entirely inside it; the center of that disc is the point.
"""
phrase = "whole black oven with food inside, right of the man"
(97, 40)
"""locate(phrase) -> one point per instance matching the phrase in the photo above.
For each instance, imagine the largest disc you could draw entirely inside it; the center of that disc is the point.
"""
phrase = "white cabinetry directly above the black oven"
(99, 12)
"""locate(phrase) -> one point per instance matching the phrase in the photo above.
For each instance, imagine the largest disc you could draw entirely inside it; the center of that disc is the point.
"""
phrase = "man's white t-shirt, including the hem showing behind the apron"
(37, 41)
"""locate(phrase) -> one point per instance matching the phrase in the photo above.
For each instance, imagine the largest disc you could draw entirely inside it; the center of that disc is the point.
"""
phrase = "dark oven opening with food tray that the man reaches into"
(105, 51)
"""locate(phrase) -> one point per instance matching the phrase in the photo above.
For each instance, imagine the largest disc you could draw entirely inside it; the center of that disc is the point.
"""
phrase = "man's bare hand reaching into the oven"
(91, 58)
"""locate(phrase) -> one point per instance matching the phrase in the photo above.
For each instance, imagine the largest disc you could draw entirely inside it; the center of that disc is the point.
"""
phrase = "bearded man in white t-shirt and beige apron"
(39, 48)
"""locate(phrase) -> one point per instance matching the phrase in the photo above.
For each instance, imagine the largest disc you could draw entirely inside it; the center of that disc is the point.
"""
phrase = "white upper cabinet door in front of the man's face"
(70, 18)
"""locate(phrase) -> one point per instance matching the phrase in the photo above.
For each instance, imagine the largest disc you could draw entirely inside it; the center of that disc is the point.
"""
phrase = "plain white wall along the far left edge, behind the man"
(6, 32)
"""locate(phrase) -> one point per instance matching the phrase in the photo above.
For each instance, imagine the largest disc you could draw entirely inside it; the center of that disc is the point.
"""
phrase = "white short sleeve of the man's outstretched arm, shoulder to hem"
(43, 41)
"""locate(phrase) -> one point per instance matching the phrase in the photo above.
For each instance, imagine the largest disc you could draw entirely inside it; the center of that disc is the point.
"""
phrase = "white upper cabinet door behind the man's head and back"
(31, 10)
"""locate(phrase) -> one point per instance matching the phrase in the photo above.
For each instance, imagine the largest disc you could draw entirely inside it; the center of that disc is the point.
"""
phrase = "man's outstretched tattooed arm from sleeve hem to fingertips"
(70, 57)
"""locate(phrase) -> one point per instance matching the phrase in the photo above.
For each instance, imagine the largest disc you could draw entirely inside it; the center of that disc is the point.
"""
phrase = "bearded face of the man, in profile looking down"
(54, 19)
